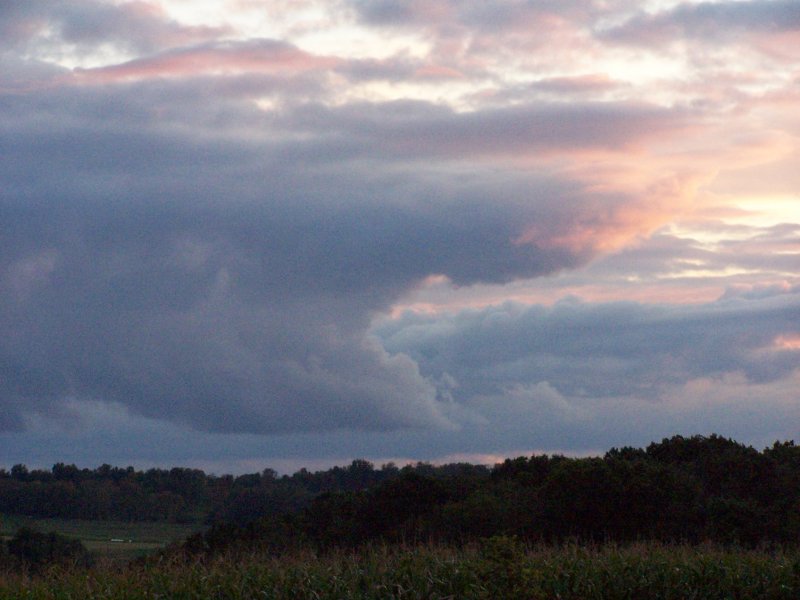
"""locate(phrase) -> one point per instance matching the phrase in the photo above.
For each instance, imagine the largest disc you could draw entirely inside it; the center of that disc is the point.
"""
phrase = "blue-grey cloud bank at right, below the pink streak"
(601, 350)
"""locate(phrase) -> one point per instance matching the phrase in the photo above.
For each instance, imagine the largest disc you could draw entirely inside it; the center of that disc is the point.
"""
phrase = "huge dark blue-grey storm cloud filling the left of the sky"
(230, 285)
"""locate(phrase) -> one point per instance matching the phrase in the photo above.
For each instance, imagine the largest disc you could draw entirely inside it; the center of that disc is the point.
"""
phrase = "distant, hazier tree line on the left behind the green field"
(177, 494)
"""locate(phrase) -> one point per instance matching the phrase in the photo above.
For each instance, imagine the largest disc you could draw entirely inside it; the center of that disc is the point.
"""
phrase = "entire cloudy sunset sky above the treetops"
(238, 234)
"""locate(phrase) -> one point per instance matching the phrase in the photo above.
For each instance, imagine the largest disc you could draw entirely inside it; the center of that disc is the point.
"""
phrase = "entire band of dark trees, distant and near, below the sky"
(682, 489)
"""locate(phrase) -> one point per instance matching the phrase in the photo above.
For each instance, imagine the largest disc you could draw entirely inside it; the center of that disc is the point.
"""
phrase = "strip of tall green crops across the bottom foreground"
(501, 569)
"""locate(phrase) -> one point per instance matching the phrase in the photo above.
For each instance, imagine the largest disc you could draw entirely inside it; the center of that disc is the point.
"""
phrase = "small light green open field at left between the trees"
(105, 539)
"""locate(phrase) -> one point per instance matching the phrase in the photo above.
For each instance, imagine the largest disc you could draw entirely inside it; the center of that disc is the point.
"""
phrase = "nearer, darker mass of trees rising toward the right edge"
(680, 490)
